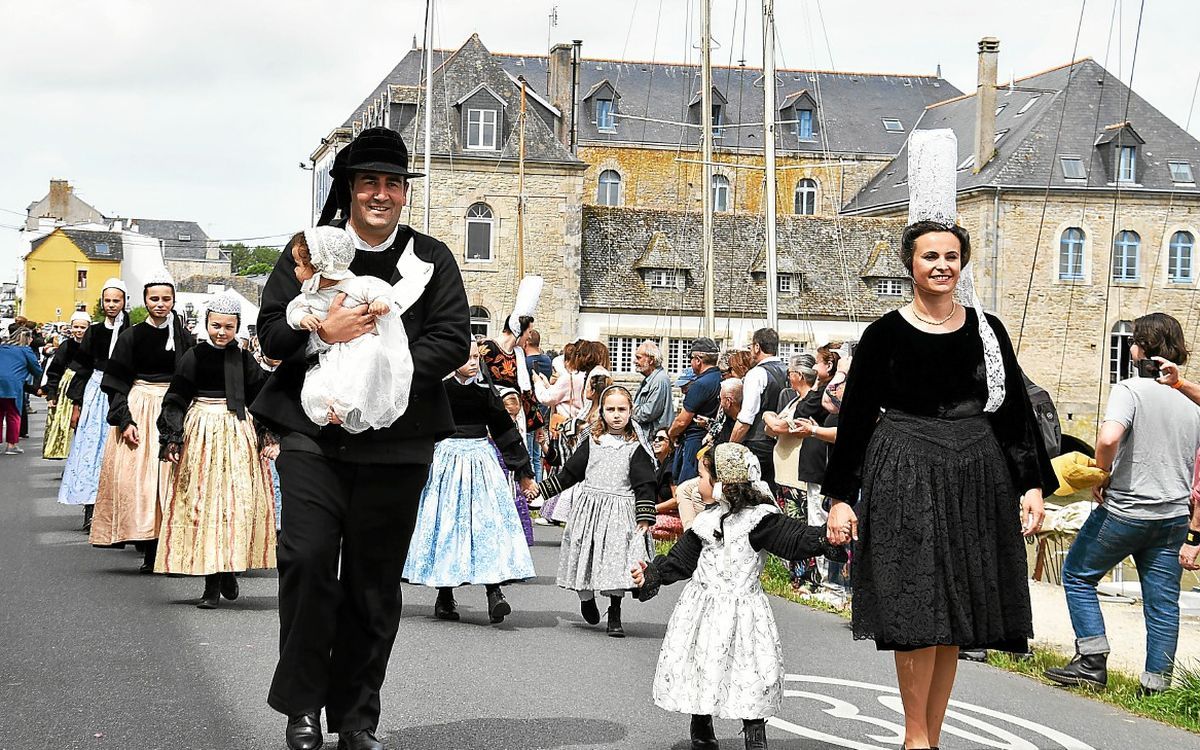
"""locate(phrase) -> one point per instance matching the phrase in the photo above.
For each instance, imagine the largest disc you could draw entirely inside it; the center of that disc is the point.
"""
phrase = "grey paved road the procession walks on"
(97, 657)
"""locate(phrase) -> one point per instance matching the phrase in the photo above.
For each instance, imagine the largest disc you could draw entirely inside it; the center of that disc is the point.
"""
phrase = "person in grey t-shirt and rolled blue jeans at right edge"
(1149, 445)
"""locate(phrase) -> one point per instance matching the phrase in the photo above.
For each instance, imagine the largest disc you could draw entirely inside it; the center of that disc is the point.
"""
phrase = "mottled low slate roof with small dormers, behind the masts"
(616, 239)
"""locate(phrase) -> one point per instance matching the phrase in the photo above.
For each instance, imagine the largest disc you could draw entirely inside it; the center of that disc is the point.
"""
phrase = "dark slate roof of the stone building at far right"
(1025, 158)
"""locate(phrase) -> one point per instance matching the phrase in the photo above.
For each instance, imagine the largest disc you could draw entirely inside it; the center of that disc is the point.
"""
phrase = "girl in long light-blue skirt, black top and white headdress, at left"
(81, 476)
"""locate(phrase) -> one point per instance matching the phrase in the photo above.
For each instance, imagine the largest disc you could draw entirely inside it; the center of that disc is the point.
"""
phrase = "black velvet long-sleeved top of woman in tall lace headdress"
(940, 376)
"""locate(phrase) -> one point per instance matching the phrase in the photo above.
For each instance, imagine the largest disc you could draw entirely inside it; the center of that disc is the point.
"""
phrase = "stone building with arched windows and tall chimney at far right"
(1084, 213)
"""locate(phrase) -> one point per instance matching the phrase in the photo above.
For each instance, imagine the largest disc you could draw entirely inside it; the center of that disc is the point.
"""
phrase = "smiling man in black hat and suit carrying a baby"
(350, 501)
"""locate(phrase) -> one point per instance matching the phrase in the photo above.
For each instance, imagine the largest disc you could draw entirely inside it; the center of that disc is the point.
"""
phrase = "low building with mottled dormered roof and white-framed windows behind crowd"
(643, 279)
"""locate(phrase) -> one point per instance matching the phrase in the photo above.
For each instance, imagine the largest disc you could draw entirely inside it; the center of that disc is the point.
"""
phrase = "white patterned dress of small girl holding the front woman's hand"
(722, 655)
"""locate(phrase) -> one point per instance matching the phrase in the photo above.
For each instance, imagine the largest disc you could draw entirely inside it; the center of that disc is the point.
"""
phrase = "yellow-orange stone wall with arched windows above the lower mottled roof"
(655, 178)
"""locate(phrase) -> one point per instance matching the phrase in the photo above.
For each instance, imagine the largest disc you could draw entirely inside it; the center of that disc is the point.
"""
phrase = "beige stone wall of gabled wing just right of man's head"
(553, 231)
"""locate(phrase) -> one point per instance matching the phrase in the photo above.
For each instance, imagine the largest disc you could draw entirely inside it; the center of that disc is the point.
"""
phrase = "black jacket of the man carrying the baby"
(439, 328)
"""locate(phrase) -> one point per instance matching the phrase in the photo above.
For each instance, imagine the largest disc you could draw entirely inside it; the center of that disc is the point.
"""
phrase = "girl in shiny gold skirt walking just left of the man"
(220, 518)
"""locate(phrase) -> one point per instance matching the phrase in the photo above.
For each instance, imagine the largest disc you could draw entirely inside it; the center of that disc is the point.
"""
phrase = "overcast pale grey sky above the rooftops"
(203, 111)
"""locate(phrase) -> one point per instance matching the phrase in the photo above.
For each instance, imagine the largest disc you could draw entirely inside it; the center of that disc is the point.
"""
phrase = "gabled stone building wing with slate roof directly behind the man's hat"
(473, 193)
